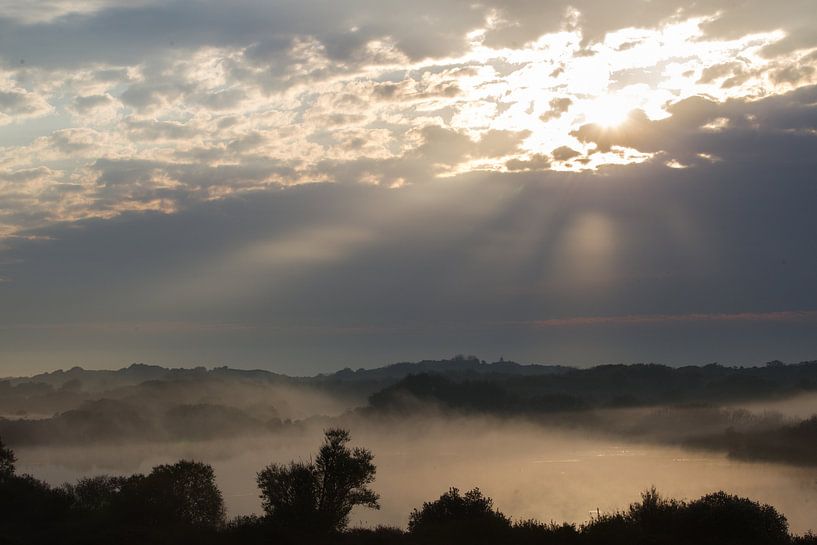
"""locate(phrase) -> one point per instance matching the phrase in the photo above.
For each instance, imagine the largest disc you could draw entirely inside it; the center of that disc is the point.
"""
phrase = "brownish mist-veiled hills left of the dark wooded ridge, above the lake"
(197, 407)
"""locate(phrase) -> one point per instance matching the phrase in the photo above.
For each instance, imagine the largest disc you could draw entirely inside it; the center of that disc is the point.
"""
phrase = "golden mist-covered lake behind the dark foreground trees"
(529, 470)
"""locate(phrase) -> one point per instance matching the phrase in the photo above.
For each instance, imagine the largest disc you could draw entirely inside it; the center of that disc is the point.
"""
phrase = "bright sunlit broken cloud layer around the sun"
(205, 120)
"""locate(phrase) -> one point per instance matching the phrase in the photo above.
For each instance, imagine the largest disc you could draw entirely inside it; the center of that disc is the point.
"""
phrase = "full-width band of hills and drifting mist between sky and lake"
(694, 407)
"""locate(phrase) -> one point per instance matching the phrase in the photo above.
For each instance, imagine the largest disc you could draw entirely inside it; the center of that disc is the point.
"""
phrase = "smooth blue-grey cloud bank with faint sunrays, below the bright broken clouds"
(443, 264)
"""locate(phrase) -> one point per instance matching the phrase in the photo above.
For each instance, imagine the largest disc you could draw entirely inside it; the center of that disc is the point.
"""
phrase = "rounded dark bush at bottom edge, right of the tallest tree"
(456, 518)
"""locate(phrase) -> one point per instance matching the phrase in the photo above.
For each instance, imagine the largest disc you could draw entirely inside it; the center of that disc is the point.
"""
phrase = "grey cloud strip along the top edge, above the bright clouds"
(129, 34)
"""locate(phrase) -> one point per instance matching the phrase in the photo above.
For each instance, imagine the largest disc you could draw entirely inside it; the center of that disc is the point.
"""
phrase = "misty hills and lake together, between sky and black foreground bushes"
(551, 443)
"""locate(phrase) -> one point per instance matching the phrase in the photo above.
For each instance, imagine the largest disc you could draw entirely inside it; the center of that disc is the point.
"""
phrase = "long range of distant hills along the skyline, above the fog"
(461, 382)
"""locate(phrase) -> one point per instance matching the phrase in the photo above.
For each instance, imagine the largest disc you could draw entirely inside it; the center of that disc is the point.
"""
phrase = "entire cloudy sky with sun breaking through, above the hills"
(303, 186)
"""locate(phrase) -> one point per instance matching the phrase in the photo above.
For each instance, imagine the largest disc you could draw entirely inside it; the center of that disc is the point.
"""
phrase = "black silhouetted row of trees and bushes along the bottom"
(310, 503)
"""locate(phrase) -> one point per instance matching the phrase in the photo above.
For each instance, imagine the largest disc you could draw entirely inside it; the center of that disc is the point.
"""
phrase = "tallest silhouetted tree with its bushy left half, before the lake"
(320, 495)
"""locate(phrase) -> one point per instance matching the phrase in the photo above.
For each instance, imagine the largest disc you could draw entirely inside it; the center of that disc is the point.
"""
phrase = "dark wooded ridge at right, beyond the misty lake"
(603, 386)
